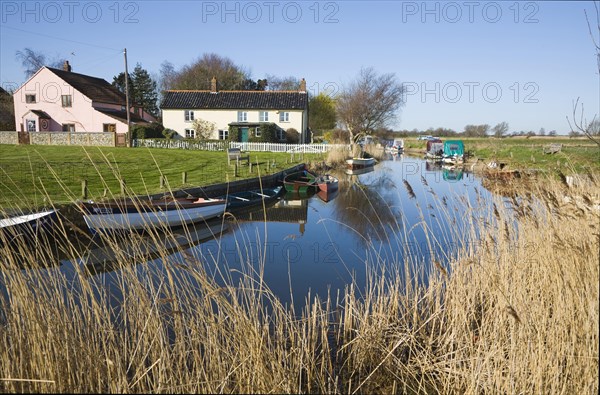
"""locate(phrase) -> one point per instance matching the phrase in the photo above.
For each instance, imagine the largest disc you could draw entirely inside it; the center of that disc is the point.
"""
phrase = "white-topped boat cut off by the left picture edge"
(27, 225)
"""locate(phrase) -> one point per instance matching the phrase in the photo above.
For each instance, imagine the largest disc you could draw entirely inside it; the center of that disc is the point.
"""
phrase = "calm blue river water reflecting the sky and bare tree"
(320, 244)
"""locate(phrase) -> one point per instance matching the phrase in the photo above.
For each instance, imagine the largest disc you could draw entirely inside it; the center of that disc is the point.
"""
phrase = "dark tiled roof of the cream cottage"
(235, 100)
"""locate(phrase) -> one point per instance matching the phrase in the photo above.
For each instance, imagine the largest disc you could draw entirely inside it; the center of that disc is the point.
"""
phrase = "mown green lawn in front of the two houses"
(33, 176)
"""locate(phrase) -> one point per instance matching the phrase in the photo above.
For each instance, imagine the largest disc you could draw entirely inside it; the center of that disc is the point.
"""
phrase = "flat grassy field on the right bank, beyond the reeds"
(578, 155)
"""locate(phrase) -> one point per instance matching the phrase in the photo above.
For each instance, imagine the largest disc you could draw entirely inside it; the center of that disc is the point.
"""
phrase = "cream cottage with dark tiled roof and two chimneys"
(244, 110)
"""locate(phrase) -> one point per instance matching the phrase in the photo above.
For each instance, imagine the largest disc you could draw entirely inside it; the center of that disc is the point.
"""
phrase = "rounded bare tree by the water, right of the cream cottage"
(372, 101)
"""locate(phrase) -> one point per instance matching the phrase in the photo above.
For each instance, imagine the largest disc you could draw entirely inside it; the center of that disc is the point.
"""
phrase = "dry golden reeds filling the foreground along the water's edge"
(515, 312)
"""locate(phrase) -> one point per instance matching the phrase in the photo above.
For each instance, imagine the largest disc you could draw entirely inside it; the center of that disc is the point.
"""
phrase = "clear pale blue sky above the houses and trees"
(464, 62)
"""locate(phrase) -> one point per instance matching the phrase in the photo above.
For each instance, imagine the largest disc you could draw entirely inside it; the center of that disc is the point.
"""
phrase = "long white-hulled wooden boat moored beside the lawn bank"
(144, 213)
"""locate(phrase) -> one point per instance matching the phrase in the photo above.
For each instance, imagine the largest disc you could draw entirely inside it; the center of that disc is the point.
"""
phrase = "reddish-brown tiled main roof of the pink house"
(96, 89)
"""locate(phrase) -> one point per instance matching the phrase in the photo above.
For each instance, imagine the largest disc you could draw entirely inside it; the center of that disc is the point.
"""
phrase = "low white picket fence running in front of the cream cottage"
(223, 145)
